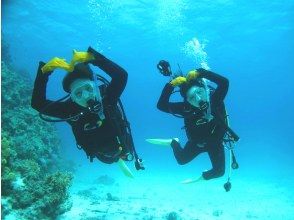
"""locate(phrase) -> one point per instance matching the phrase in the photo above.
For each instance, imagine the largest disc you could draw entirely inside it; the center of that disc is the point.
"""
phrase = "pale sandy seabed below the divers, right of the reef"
(160, 195)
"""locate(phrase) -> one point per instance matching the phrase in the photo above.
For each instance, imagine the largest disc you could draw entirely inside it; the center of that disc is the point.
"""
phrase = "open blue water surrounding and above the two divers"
(249, 42)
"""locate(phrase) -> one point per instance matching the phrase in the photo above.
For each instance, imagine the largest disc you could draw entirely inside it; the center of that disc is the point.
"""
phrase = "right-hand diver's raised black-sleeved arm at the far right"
(221, 82)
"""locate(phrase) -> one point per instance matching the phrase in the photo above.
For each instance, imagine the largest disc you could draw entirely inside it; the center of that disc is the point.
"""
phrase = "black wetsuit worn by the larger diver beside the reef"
(100, 142)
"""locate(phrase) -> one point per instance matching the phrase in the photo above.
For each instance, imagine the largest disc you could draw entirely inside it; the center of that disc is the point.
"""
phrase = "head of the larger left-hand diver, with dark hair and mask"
(79, 83)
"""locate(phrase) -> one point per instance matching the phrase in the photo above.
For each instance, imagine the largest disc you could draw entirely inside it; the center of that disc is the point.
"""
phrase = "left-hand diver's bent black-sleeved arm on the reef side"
(39, 101)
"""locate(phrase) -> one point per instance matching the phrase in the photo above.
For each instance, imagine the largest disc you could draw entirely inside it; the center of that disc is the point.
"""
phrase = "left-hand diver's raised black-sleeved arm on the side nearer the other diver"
(118, 75)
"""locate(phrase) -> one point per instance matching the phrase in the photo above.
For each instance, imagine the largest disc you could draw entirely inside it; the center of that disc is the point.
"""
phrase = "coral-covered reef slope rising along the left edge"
(35, 184)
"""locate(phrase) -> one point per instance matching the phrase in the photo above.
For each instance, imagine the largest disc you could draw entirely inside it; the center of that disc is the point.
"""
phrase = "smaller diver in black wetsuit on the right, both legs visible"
(202, 112)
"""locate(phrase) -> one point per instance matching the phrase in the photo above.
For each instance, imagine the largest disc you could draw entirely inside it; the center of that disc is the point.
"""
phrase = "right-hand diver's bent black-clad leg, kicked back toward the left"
(186, 154)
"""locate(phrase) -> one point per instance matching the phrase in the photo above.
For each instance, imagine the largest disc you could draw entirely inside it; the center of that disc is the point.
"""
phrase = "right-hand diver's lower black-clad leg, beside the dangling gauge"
(217, 157)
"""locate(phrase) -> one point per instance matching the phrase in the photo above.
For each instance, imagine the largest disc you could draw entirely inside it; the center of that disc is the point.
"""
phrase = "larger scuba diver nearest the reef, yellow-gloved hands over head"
(93, 111)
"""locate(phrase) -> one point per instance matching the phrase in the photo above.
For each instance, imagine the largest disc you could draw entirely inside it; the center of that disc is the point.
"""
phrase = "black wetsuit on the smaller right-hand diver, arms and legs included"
(205, 137)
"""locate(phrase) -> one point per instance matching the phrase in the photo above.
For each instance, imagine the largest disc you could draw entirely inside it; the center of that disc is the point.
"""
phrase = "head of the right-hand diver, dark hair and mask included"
(195, 93)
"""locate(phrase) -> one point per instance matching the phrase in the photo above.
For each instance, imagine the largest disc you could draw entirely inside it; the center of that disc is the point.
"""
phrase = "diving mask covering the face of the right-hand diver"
(198, 97)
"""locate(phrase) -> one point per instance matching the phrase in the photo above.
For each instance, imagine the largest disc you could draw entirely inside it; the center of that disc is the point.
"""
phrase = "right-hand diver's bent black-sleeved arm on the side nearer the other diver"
(163, 103)
